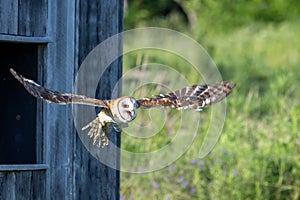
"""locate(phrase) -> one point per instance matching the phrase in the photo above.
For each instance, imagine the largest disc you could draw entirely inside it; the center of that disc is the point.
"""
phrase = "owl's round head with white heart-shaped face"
(124, 109)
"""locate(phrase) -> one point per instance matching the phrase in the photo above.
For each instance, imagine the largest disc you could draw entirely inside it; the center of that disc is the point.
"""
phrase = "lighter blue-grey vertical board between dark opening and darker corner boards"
(58, 121)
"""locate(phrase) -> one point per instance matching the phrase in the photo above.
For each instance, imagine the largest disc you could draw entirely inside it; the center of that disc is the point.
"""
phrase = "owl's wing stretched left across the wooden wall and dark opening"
(56, 97)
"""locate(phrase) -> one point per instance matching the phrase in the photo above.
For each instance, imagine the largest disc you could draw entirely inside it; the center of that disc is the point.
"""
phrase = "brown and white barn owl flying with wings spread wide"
(117, 113)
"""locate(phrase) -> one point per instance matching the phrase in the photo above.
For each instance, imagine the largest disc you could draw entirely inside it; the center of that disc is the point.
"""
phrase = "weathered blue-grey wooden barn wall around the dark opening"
(67, 30)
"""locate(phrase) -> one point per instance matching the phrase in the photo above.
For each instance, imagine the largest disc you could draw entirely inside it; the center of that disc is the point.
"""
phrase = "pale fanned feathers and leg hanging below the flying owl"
(99, 129)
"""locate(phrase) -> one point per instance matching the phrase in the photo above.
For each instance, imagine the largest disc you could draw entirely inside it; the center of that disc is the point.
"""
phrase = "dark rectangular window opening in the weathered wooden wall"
(18, 108)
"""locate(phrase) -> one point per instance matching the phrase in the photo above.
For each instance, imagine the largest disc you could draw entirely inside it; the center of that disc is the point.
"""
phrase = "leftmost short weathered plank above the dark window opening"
(9, 17)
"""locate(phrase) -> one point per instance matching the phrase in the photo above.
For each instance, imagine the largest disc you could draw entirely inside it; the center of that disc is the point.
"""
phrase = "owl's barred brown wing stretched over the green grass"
(194, 97)
